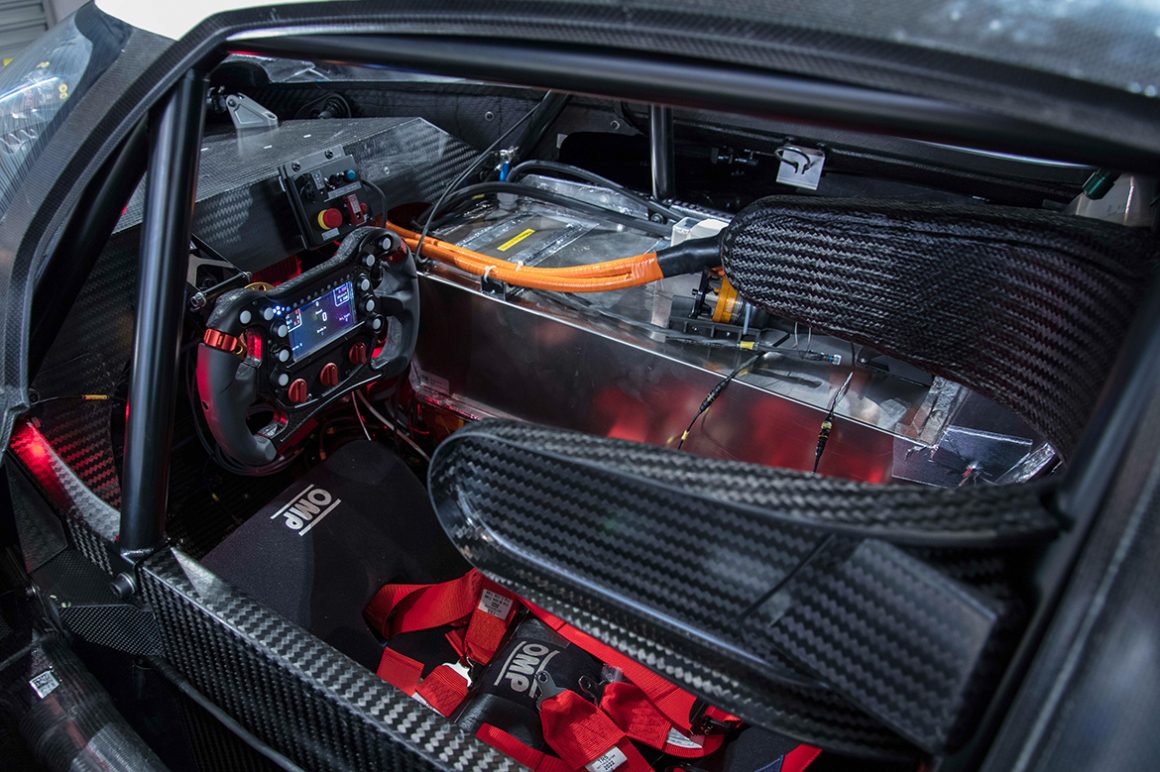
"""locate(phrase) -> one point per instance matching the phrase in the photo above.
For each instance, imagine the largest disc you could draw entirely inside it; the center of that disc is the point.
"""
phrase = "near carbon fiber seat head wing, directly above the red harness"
(765, 610)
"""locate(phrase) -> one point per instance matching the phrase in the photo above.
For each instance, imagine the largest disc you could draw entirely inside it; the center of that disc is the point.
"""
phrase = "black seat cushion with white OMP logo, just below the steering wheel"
(321, 550)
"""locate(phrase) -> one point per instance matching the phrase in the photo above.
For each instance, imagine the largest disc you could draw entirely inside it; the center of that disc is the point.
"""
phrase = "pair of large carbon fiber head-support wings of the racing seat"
(867, 620)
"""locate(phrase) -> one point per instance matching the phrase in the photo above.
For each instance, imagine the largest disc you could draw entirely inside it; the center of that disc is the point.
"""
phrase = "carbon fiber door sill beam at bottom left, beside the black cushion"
(295, 693)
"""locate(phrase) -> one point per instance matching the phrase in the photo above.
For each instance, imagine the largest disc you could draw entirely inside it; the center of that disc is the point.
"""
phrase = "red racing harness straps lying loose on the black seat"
(646, 709)
